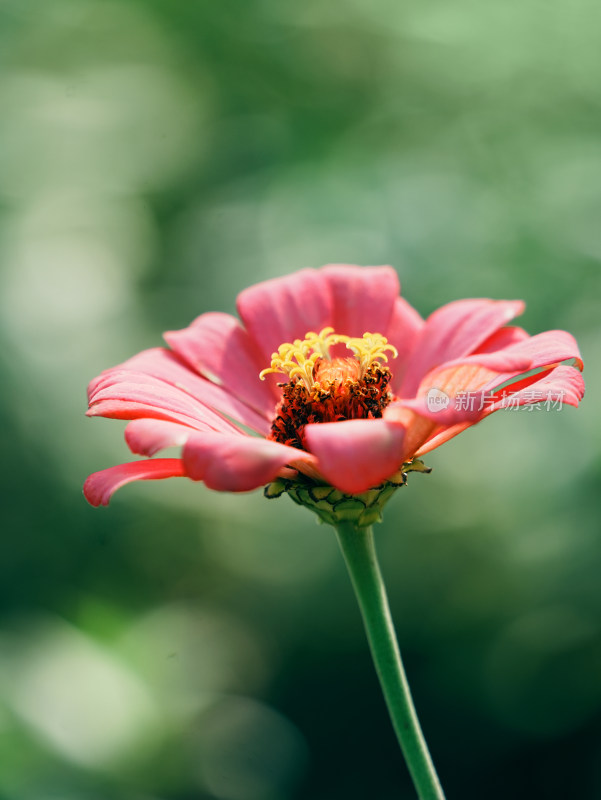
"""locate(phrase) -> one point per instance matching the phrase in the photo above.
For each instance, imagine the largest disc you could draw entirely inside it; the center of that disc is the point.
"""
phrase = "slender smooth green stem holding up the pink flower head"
(358, 549)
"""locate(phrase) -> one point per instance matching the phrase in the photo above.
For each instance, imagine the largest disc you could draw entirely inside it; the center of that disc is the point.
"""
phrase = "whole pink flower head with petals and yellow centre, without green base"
(354, 384)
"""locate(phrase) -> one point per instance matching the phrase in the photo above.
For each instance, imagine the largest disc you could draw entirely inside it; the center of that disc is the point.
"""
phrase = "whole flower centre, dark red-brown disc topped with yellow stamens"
(322, 388)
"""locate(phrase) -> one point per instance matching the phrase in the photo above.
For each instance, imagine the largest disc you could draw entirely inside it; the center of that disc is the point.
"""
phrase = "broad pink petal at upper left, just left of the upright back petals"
(219, 348)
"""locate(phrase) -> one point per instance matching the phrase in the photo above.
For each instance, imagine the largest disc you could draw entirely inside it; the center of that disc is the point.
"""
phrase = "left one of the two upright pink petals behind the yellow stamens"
(284, 309)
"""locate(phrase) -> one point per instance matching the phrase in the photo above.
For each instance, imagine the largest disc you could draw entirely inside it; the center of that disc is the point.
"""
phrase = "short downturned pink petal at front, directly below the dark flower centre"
(356, 455)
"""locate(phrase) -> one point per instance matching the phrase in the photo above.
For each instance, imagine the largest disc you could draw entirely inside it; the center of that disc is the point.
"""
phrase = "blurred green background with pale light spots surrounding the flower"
(156, 157)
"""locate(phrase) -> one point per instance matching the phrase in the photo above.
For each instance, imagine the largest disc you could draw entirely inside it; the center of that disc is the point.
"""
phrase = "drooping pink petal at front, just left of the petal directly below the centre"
(230, 463)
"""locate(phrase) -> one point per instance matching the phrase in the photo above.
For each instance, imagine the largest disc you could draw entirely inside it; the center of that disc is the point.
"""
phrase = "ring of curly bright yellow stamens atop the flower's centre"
(298, 359)
